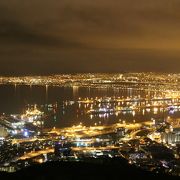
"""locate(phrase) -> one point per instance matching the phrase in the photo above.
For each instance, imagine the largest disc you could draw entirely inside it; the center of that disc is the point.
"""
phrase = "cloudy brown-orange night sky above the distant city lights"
(69, 36)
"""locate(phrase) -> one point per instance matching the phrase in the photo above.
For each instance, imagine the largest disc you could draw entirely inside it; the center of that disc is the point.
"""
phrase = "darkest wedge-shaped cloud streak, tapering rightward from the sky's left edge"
(12, 32)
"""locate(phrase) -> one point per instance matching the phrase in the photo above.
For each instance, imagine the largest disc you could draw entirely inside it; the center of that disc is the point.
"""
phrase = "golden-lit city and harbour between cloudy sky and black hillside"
(134, 116)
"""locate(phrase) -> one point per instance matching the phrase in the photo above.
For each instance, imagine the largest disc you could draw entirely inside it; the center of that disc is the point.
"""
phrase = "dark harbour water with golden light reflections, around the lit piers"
(14, 99)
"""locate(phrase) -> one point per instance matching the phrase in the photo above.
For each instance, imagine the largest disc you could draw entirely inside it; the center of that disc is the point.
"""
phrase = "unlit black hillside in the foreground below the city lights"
(111, 170)
